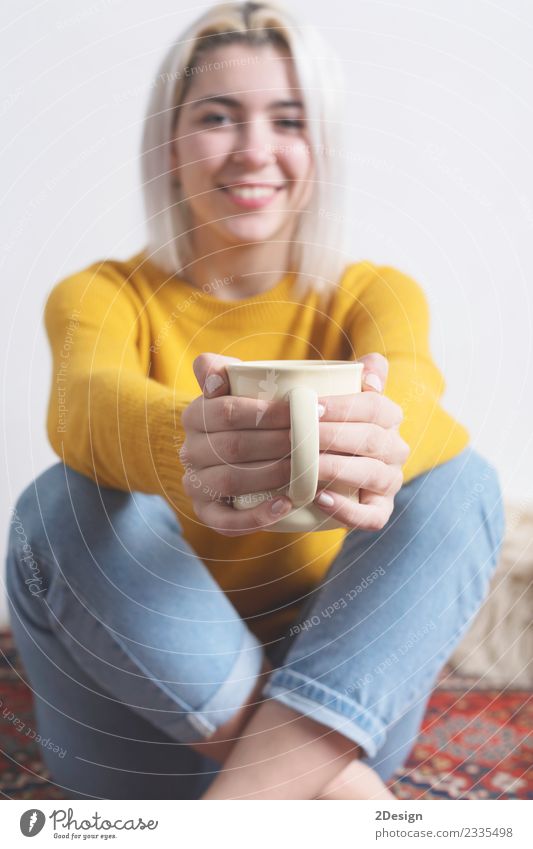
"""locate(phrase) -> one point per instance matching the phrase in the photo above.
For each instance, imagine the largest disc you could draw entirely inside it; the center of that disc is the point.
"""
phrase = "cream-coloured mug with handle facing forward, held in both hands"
(301, 383)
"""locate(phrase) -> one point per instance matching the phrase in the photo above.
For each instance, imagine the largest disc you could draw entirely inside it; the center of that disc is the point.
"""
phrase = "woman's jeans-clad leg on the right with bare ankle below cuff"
(376, 632)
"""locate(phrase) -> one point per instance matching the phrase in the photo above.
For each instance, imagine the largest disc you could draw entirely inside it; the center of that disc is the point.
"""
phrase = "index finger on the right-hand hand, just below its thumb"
(361, 407)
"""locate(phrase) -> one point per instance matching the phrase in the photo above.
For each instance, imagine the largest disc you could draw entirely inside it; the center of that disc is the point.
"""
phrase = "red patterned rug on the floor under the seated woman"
(474, 744)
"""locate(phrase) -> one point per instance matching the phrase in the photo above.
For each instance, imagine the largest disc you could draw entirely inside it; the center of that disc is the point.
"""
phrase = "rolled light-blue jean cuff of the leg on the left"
(232, 694)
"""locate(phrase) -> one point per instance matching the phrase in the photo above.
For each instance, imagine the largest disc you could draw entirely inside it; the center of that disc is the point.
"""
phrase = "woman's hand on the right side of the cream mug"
(360, 447)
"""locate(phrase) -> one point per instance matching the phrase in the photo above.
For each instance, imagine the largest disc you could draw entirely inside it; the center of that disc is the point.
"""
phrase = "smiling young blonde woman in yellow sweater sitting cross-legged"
(175, 649)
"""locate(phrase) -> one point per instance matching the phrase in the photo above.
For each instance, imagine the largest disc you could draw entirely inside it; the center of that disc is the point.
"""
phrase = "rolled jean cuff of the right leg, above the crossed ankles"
(319, 702)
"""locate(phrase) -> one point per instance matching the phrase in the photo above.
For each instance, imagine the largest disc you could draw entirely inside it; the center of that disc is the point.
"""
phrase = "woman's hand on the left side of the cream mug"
(233, 446)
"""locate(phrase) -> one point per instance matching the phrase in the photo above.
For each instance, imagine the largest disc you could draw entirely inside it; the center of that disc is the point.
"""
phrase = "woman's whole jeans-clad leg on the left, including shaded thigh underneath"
(133, 652)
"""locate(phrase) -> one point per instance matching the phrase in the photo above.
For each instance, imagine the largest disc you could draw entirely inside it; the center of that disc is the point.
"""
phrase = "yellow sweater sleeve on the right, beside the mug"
(392, 317)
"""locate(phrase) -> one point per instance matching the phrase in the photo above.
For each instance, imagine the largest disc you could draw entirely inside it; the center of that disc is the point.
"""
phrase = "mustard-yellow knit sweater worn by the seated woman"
(123, 340)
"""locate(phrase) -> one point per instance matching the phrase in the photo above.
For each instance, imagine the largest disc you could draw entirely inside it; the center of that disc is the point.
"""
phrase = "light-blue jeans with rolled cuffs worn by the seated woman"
(133, 651)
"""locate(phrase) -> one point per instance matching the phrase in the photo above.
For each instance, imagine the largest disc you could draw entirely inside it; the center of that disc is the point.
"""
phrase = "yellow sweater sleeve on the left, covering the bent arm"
(106, 417)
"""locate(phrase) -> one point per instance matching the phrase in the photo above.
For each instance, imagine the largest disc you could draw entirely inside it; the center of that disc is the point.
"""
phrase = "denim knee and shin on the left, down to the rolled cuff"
(114, 579)
